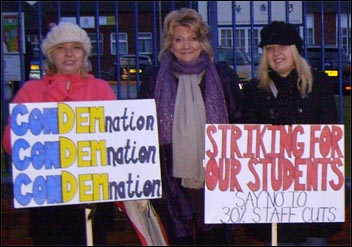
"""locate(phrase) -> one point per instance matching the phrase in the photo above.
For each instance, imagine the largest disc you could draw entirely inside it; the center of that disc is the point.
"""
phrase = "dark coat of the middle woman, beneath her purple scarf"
(179, 206)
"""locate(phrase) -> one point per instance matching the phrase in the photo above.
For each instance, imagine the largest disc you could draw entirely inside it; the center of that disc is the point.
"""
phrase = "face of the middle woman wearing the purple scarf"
(185, 45)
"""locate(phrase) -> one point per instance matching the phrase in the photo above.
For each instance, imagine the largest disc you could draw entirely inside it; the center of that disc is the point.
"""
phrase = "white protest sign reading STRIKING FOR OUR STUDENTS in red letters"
(258, 173)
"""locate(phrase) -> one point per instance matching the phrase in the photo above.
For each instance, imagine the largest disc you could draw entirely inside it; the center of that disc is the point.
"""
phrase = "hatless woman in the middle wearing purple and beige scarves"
(190, 90)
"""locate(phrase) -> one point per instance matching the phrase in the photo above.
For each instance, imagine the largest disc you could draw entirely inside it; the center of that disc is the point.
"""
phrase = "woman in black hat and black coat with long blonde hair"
(289, 92)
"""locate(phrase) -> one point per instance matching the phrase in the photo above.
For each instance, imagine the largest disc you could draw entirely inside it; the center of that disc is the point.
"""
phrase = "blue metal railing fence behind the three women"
(33, 20)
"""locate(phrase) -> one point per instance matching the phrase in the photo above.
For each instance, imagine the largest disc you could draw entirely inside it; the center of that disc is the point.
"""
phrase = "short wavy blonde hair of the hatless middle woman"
(188, 18)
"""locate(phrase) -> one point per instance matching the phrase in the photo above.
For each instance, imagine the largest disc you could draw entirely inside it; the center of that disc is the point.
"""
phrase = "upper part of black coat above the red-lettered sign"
(318, 108)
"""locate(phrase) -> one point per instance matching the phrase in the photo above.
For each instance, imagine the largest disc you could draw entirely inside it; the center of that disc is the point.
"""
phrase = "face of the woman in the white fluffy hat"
(68, 58)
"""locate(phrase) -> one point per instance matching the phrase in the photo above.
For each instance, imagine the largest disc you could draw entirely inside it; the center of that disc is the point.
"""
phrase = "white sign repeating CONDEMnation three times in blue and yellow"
(84, 152)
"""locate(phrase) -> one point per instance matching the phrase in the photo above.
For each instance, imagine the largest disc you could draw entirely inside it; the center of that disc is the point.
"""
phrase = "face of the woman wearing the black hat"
(280, 59)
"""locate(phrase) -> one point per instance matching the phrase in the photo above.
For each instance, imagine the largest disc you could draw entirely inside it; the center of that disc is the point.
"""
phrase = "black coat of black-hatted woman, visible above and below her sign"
(318, 107)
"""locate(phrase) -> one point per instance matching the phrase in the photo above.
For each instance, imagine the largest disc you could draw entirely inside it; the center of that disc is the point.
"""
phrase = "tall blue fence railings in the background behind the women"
(108, 22)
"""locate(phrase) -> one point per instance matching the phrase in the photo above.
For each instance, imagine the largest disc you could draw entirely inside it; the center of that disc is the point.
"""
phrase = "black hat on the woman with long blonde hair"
(280, 33)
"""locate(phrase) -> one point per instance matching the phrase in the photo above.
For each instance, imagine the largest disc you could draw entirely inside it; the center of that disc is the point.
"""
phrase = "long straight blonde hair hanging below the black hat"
(305, 77)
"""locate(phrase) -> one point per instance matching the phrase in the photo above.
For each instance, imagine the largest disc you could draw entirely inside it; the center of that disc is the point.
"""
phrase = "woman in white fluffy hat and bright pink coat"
(67, 48)
